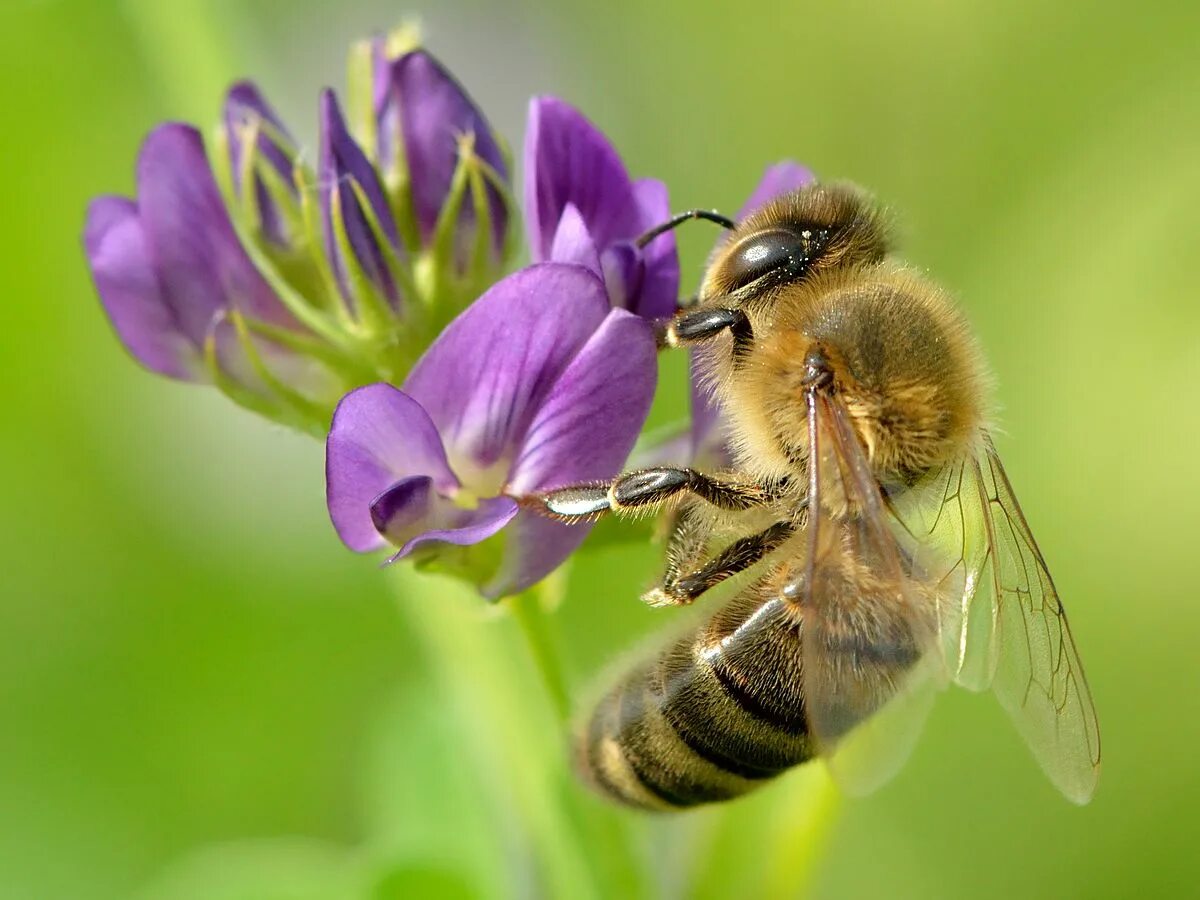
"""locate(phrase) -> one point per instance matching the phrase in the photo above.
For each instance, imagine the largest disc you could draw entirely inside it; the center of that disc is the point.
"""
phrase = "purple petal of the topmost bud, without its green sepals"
(435, 112)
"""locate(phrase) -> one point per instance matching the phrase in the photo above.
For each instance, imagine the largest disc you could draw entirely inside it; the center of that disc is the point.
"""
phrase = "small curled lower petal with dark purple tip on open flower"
(411, 513)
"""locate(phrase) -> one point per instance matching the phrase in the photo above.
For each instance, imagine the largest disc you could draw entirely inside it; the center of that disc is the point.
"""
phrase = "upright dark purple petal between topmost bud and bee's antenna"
(568, 160)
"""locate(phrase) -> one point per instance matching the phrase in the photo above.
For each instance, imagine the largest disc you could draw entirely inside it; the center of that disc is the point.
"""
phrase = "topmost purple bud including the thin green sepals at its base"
(428, 128)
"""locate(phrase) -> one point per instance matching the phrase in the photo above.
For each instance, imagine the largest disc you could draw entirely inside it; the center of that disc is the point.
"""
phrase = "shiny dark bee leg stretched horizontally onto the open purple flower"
(645, 491)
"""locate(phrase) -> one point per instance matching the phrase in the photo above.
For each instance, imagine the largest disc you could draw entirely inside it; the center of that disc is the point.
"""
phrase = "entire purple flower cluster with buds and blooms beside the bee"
(343, 301)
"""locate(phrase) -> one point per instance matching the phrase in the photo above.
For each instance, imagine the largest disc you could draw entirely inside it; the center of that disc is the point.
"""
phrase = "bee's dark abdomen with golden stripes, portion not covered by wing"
(716, 716)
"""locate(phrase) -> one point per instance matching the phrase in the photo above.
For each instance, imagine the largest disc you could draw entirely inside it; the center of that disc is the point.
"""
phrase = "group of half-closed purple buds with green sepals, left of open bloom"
(286, 286)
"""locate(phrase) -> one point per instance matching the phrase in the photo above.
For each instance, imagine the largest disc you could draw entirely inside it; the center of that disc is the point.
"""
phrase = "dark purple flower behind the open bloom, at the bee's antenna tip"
(581, 207)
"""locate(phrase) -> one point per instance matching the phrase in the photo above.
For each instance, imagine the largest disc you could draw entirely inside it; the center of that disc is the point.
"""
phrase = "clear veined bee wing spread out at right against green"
(1000, 621)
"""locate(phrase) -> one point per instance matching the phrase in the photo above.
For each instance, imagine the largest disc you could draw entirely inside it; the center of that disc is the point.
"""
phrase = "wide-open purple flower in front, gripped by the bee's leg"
(538, 385)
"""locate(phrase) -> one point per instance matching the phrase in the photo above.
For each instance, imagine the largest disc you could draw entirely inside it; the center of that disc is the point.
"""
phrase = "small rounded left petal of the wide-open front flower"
(380, 435)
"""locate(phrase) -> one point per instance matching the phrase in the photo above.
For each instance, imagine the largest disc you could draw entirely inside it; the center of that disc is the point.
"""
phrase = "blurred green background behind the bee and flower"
(203, 695)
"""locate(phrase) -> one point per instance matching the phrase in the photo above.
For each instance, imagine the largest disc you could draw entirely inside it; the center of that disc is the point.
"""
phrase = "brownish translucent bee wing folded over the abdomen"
(869, 638)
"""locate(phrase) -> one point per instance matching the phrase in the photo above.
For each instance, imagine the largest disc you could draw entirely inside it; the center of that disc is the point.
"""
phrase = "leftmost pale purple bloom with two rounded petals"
(169, 266)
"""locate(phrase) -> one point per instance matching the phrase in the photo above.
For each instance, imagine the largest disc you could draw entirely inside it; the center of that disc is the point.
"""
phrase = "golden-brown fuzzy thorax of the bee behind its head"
(903, 359)
